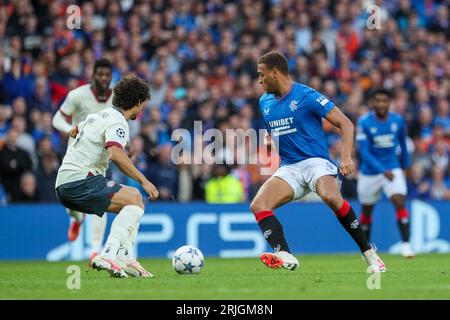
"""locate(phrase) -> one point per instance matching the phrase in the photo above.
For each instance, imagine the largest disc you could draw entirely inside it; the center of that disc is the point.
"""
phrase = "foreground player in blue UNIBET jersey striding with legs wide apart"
(293, 116)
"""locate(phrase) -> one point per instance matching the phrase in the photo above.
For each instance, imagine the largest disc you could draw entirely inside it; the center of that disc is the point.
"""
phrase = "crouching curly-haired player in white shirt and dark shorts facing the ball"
(81, 184)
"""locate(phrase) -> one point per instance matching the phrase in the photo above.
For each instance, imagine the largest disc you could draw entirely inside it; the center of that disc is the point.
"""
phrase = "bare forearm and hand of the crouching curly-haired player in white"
(120, 158)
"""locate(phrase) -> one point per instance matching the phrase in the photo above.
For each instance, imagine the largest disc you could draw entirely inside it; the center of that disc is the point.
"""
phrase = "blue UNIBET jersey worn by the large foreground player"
(296, 120)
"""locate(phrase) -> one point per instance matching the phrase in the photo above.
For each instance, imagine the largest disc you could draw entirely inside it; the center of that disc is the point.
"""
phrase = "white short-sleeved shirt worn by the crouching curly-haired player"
(88, 153)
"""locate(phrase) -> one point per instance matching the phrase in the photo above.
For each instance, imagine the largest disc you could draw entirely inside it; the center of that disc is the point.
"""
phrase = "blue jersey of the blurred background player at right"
(378, 141)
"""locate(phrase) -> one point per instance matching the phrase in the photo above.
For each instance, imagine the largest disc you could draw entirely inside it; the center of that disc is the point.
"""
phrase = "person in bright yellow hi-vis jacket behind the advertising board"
(223, 187)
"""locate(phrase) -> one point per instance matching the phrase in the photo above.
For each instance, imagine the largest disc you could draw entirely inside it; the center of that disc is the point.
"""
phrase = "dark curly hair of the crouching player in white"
(130, 91)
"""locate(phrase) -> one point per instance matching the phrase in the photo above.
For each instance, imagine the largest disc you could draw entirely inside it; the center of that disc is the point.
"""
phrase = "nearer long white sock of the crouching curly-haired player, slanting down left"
(122, 229)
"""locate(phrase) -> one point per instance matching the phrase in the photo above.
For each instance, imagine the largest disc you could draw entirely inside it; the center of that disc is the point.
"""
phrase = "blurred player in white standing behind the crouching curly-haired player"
(78, 104)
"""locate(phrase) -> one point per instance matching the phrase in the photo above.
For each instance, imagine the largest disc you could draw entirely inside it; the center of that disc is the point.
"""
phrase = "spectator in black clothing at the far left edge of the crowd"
(13, 163)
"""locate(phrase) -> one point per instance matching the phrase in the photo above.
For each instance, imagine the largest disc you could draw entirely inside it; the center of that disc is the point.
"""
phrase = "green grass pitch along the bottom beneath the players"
(319, 277)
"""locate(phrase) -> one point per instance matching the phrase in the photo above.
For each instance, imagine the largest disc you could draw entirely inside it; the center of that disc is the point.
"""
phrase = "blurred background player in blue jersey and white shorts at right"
(379, 134)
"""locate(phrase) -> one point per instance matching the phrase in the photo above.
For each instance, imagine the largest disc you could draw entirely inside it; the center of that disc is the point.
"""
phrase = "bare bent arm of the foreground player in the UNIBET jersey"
(337, 118)
